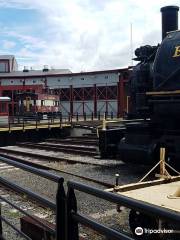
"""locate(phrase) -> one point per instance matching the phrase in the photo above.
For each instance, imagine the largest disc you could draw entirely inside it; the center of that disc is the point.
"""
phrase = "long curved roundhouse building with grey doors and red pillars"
(87, 93)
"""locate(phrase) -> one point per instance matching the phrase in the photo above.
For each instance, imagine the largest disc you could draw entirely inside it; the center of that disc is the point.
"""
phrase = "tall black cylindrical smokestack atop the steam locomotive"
(169, 19)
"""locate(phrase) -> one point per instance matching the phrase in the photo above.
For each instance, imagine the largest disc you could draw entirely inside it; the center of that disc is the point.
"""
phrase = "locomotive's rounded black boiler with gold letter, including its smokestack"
(167, 62)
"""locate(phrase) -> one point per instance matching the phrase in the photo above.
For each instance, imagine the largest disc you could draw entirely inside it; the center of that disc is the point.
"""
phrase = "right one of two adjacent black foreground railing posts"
(72, 226)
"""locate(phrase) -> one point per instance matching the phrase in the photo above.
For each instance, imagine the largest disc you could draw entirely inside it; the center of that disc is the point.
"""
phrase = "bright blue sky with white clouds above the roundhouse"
(80, 35)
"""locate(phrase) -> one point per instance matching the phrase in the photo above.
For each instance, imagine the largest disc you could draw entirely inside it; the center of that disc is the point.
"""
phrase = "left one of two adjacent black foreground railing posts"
(60, 212)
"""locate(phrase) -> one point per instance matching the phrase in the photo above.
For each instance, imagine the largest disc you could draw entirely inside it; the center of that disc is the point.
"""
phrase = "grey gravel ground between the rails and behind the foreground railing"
(98, 209)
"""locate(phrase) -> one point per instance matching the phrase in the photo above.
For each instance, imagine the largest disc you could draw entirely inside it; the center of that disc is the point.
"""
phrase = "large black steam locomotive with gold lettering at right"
(154, 88)
